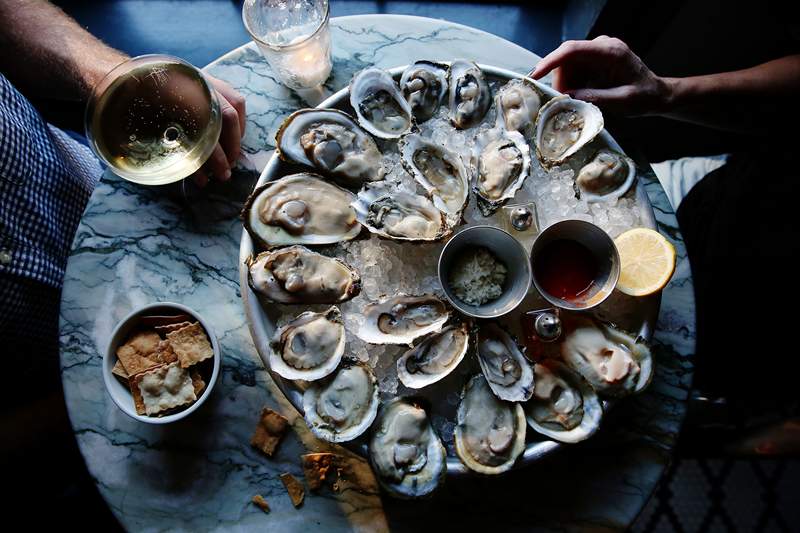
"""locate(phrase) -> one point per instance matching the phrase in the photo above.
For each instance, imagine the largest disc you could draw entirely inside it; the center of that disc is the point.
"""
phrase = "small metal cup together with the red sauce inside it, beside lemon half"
(575, 265)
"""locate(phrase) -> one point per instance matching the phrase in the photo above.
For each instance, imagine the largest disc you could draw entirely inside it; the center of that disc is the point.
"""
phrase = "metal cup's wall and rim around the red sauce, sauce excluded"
(599, 244)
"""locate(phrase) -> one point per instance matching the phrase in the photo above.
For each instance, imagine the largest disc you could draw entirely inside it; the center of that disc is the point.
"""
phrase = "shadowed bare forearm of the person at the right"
(748, 101)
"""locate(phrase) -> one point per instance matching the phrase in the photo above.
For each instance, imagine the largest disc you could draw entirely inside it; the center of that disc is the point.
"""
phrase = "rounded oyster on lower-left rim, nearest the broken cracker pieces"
(342, 406)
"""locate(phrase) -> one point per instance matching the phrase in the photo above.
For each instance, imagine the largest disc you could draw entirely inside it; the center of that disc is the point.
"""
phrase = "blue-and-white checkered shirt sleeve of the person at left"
(46, 179)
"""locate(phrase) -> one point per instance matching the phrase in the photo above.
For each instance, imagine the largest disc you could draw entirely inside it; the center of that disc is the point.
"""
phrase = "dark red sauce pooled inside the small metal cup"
(565, 269)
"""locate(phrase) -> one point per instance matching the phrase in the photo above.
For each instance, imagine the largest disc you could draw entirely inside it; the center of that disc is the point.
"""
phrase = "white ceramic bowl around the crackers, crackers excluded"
(121, 394)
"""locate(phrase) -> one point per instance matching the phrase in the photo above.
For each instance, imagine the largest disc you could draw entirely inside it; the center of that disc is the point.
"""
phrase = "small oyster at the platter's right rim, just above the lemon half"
(606, 177)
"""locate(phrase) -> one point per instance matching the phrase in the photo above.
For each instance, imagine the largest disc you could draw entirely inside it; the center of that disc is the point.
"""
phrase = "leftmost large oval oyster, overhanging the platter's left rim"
(300, 209)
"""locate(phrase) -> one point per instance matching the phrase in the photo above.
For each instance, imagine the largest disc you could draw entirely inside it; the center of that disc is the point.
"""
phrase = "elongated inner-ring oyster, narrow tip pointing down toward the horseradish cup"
(440, 172)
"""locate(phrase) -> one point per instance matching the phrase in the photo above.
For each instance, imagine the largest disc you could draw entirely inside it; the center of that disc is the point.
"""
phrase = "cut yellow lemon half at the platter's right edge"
(647, 261)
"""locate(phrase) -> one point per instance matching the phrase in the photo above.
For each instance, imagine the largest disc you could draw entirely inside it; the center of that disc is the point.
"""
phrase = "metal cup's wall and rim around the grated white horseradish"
(507, 250)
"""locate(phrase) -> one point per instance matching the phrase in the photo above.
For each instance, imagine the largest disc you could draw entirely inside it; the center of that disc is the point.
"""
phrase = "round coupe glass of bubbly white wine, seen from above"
(154, 119)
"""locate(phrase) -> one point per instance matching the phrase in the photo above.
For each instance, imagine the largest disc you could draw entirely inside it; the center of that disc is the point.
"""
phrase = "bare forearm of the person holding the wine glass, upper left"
(46, 53)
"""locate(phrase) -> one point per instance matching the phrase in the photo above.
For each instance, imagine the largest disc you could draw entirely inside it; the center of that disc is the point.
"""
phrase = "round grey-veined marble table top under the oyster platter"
(136, 246)
